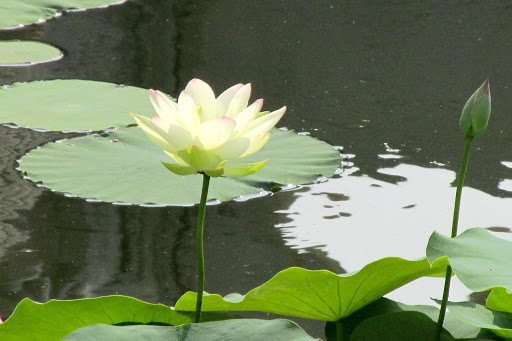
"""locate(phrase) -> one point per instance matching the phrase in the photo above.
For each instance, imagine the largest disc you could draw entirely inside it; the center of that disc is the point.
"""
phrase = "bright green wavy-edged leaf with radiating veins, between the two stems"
(320, 294)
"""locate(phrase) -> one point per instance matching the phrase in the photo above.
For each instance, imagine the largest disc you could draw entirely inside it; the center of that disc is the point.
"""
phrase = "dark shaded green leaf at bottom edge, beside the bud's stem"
(400, 326)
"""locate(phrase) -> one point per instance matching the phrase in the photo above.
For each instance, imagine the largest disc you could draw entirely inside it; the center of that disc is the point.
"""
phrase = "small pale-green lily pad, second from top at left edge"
(16, 52)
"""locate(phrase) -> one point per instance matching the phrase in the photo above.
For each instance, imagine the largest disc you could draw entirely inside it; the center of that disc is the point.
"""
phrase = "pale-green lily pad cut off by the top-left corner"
(24, 12)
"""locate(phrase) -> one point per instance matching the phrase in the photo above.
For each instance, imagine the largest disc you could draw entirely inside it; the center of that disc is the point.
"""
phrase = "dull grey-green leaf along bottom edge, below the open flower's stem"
(247, 330)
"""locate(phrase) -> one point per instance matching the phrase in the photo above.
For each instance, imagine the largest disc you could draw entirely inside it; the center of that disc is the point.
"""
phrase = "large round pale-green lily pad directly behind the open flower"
(125, 166)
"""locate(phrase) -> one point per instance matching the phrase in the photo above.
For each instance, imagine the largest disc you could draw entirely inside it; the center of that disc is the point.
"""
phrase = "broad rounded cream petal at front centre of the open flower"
(216, 132)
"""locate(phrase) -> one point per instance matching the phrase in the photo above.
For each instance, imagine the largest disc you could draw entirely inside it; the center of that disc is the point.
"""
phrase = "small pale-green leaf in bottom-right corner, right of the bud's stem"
(477, 315)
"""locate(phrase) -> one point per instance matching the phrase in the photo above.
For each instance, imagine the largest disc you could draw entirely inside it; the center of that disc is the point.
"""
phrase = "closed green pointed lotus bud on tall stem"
(476, 112)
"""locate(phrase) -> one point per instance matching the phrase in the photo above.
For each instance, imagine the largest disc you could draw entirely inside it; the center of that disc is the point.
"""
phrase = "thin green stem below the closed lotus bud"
(455, 223)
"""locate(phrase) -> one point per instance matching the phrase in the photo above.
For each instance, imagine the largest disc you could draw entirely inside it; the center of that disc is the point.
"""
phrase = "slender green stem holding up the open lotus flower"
(199, 245)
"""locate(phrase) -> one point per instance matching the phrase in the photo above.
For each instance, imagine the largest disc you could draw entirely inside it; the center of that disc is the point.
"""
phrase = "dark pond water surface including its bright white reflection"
(386, 81)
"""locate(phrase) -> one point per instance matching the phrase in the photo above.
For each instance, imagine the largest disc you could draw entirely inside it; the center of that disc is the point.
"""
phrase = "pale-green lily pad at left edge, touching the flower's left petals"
(72, 105)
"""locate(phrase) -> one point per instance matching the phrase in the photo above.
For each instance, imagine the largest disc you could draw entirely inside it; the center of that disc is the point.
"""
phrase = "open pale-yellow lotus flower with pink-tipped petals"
(201, 133)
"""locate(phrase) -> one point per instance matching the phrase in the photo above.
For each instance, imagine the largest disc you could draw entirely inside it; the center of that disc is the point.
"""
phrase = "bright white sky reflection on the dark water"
(357, 219)
